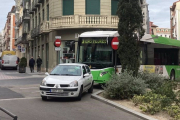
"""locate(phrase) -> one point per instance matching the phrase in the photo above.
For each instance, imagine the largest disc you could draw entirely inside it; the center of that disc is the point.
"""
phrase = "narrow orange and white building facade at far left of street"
(9, 31)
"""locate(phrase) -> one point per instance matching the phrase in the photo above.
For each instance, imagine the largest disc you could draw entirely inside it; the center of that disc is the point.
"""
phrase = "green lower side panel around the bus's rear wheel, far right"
(170, 69)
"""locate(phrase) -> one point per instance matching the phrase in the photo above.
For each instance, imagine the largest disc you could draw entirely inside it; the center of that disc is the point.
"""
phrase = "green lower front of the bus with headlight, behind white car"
(102, 75)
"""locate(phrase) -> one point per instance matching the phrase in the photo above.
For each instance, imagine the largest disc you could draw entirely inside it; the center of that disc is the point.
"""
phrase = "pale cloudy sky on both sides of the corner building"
(159, 11)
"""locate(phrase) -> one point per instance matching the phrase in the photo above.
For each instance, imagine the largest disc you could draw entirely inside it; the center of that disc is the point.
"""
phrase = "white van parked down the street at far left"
(9, 61)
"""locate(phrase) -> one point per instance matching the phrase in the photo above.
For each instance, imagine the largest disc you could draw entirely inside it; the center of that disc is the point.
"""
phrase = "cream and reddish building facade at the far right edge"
(174, 20)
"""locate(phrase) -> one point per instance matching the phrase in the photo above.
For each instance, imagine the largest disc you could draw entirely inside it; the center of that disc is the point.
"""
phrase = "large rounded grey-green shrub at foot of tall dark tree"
(124, 86)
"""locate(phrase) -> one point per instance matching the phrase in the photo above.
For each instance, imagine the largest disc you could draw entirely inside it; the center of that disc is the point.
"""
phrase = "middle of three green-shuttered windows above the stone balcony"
(93, 7)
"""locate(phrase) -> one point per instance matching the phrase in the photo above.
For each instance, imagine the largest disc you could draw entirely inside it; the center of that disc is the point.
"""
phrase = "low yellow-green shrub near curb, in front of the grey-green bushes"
(151, 102)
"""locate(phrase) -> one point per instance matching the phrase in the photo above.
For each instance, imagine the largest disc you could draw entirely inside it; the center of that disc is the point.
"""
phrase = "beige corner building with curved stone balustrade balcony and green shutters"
(62, 18)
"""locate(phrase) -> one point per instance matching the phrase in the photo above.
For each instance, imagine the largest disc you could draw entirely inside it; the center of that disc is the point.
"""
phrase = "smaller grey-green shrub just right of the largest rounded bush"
(152, 80)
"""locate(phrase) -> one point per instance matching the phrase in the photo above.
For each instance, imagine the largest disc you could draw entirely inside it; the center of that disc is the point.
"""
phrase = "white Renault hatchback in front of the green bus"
(67, 80)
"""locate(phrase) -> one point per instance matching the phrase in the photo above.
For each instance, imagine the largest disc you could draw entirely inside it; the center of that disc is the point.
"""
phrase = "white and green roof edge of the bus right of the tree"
(160, 40)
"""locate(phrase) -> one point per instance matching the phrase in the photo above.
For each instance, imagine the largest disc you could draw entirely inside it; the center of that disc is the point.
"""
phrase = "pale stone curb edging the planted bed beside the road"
(120, 107)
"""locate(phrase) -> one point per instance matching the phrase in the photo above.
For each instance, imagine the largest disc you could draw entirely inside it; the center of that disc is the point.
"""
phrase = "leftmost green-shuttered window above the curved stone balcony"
(68, 7)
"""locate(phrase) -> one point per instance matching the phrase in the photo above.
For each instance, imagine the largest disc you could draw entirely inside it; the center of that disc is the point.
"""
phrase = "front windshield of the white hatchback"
(67, 70)
